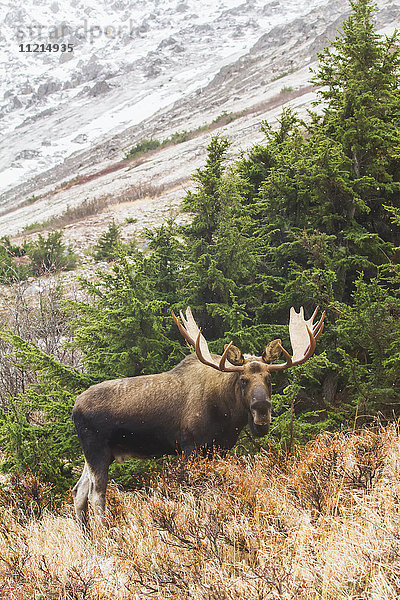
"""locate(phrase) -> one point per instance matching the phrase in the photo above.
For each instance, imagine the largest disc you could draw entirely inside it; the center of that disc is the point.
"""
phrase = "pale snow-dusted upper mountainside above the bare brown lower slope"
(130, 58)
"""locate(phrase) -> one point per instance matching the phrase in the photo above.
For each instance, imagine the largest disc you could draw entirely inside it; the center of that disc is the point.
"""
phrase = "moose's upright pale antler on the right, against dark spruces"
(303, 337)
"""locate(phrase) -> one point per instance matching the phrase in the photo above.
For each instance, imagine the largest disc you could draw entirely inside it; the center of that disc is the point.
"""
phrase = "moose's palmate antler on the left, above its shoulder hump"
(192, 334)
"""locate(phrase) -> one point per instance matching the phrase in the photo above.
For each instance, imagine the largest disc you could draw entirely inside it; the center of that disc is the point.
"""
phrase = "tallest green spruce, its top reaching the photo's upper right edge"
(360, 77)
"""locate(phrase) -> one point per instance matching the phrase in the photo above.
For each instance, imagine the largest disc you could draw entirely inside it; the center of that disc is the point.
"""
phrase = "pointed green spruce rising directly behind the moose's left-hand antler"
(220, 256)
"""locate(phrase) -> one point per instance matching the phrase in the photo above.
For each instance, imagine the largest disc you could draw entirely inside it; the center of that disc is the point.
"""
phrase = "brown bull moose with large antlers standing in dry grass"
(203, 402)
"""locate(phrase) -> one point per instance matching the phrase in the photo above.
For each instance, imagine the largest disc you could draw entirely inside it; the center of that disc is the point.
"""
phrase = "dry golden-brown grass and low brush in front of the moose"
(324, 524)
